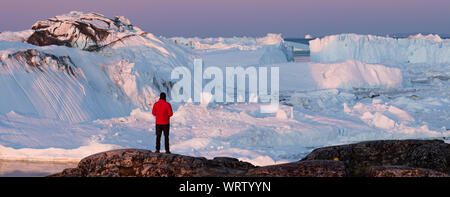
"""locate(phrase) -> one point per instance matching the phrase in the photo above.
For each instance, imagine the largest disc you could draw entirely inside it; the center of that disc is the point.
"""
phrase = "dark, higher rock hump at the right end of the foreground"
(428, 154)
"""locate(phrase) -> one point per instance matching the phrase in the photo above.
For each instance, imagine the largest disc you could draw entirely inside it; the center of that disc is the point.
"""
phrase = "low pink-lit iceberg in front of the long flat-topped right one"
(304, 76)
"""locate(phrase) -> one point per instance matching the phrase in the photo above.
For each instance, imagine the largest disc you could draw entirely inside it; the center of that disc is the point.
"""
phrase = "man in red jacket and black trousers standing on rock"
(162, 110)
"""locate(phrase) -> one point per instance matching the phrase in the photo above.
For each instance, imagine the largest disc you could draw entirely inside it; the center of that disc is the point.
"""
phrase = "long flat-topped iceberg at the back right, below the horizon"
(429, 49)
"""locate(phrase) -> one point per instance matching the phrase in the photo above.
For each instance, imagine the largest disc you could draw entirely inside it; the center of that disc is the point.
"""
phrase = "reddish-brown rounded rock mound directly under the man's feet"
(144, 163)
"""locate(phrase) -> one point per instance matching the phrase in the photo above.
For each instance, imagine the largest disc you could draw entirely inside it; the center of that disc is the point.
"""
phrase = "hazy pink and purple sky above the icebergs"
(292, 18)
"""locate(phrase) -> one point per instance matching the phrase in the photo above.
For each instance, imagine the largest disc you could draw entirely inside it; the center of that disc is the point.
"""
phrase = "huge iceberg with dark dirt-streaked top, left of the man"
(102, 68)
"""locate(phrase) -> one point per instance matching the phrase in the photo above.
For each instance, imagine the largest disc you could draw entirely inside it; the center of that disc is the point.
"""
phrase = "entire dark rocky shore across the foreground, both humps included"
(391, 158)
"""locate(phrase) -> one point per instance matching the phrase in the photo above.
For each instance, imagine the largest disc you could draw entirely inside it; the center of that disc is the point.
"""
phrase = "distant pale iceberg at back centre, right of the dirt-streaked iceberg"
(271, 49)
